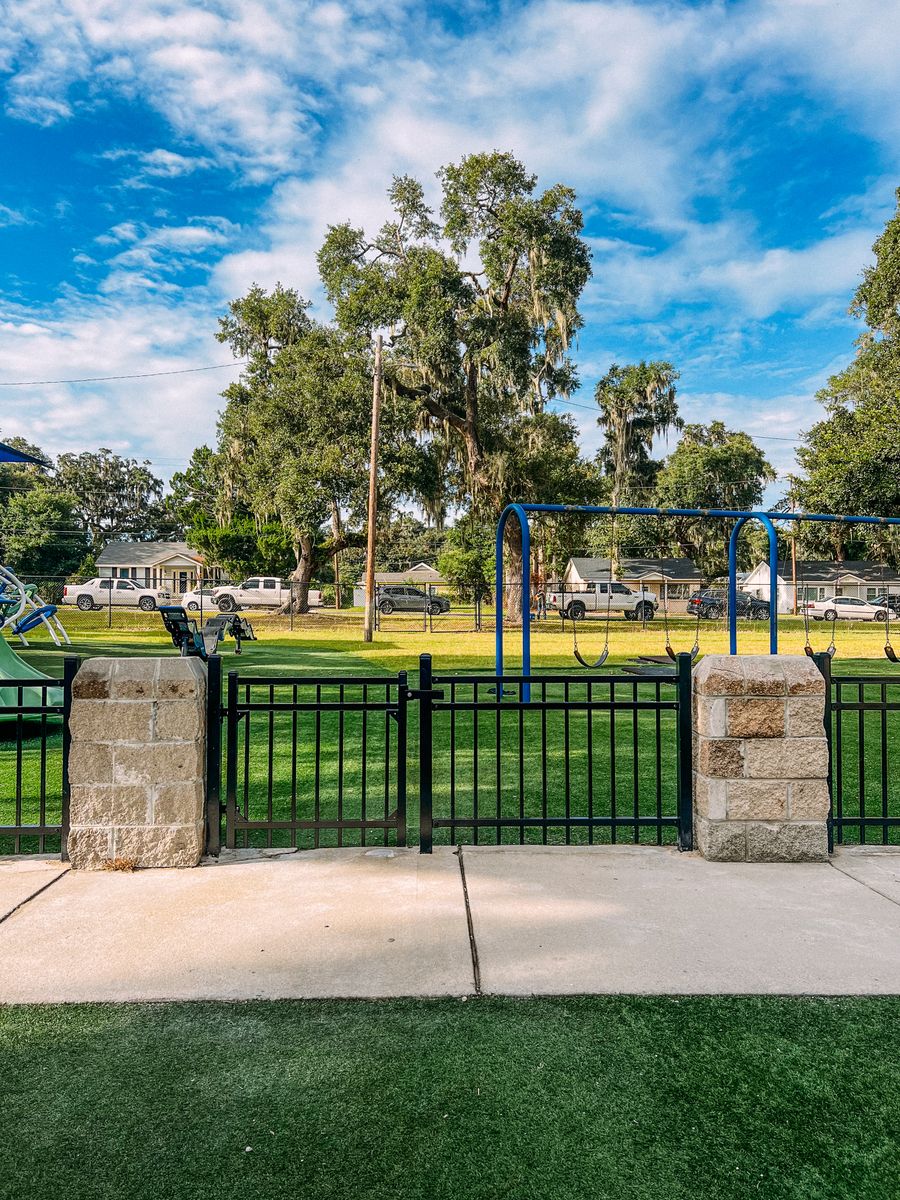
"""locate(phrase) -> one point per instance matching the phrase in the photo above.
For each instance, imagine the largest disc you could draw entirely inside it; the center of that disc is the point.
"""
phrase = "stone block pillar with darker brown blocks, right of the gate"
(760, 760)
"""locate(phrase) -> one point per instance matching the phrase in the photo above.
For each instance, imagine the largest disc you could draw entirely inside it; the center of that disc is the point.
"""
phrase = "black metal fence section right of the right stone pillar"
(863, 729)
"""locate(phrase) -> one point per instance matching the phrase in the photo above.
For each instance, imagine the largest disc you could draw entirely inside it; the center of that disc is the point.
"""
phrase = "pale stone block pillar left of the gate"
(137, 763)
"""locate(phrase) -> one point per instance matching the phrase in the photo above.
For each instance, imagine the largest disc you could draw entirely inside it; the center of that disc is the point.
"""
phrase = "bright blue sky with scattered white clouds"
(735, 163)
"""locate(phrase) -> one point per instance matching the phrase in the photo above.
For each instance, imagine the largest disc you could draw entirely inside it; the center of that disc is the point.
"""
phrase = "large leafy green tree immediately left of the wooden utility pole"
(293, 442)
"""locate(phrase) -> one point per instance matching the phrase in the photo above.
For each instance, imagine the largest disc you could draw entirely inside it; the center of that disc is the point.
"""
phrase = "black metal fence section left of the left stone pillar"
(34, 764)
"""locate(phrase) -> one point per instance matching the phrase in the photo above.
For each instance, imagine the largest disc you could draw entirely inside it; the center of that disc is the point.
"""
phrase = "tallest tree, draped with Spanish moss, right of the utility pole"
(482, 308)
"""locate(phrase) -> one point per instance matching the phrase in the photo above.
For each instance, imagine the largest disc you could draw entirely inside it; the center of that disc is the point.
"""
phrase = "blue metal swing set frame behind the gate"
(741, 518)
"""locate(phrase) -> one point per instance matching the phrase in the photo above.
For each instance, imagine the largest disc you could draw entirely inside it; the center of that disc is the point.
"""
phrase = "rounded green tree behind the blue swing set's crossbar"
(712, 467)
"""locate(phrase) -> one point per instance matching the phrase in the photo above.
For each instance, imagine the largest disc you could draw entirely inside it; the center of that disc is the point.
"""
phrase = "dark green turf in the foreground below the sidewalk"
(627, 1099)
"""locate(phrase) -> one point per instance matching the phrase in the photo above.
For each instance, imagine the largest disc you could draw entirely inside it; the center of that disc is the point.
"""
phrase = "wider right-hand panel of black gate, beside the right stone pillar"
(555, 759)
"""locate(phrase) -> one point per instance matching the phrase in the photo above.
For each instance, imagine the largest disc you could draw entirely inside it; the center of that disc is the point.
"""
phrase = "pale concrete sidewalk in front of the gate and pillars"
(514, 921)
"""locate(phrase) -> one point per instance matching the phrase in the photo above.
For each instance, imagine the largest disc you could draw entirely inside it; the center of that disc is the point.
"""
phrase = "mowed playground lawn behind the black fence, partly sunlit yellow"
(506, 761)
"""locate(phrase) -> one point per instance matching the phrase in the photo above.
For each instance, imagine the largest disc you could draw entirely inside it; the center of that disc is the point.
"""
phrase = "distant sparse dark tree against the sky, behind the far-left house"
(115, 497)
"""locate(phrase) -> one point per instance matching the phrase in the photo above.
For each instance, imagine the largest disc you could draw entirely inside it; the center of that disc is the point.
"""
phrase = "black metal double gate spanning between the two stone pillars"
(323, 761)
